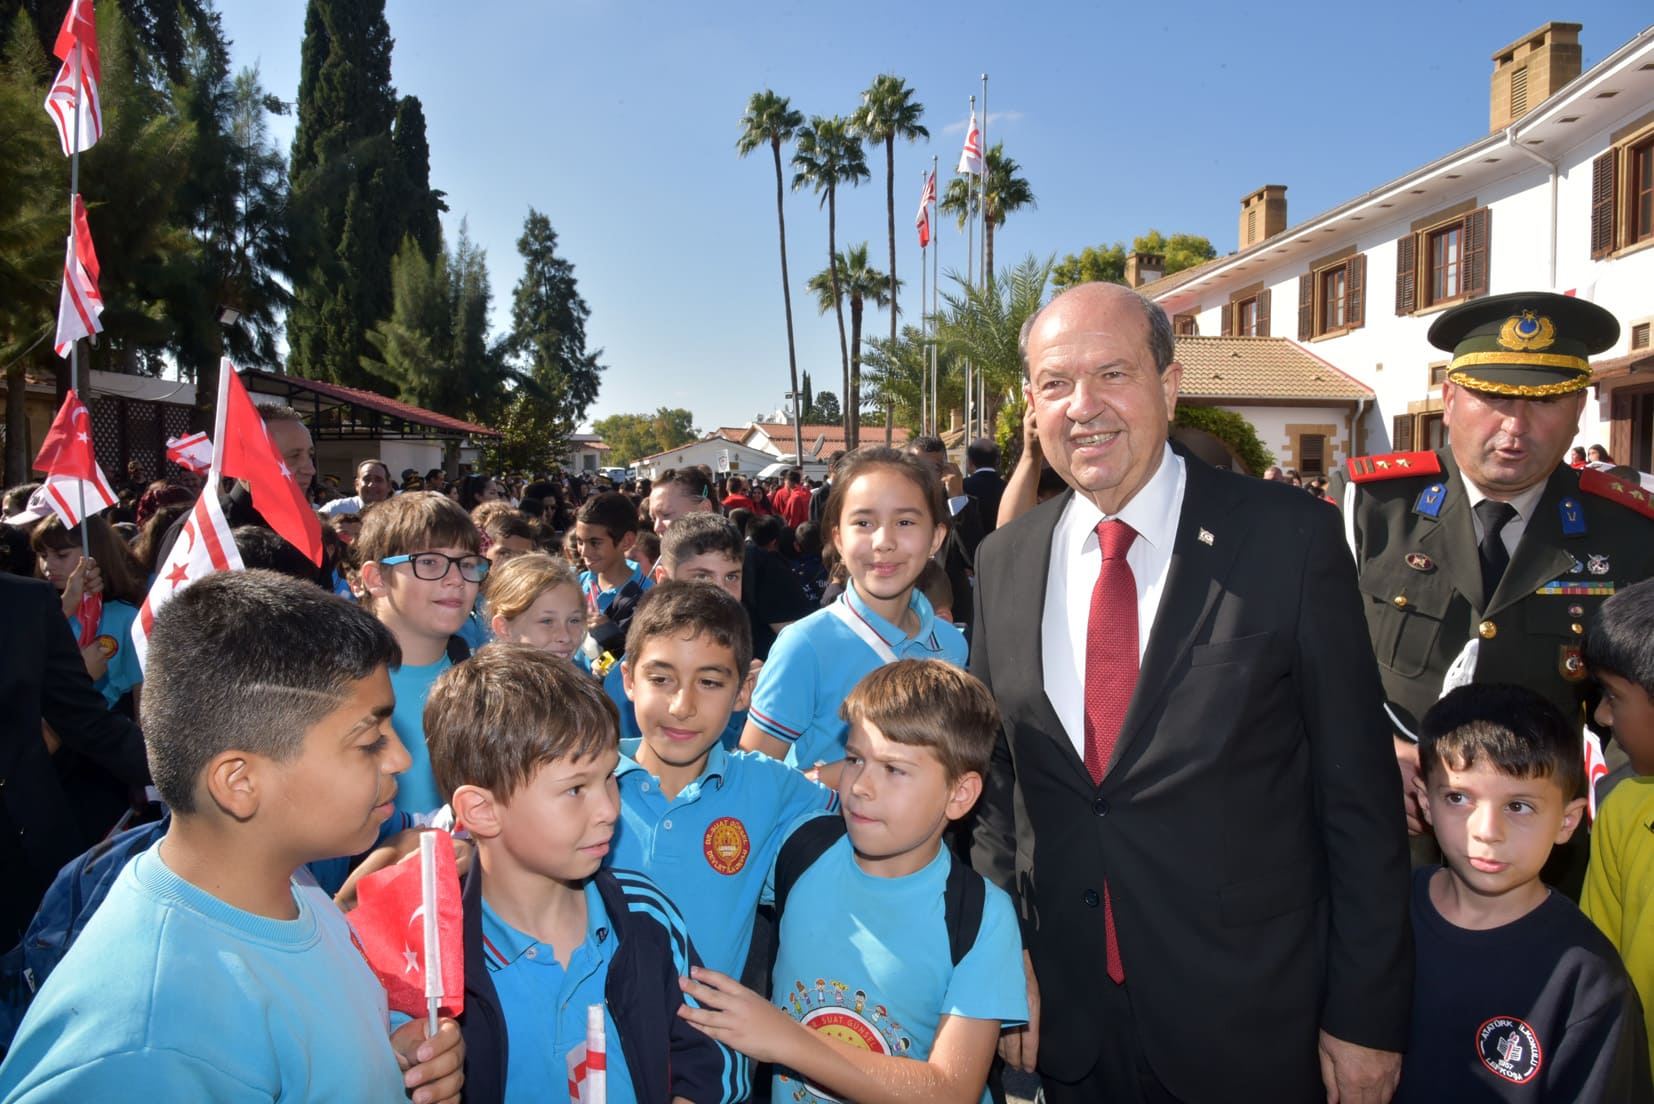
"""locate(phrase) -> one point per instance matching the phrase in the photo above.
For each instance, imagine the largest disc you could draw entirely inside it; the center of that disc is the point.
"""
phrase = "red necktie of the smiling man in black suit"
(1111, 676)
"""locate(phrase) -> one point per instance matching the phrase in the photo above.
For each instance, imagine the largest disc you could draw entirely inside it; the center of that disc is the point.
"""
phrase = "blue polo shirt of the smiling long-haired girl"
(816, 663)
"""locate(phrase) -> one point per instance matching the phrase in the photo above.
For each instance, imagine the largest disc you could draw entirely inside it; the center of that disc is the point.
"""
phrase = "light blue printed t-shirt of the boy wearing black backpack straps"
(866, 961)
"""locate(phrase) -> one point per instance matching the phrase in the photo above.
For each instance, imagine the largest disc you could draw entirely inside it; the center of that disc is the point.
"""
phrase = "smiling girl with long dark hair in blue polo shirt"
(884, 521)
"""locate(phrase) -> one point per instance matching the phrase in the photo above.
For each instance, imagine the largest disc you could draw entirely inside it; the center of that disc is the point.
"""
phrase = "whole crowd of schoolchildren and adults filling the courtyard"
(715, 766)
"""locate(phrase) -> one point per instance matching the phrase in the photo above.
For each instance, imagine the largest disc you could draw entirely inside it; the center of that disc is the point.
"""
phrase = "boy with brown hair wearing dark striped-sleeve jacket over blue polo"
(525, 749)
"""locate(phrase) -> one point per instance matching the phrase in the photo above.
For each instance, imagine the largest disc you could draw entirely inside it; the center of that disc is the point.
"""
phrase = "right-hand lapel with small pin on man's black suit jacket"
(1193, 583)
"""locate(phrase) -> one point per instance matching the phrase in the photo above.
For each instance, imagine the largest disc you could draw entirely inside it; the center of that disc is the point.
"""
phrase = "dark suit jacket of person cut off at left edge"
(42, 678)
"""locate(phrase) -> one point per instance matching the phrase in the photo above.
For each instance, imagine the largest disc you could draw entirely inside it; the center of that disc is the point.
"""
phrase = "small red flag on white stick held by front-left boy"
(391, 931)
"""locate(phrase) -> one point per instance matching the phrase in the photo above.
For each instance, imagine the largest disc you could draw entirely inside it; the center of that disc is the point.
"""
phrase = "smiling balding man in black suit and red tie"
(1192, 800)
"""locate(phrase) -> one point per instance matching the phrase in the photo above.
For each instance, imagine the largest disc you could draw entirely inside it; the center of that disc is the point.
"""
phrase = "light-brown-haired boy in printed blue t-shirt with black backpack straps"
(874, 1001)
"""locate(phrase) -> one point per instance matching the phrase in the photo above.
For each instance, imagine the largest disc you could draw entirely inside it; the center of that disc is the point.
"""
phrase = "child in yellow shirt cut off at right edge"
(1620, 885)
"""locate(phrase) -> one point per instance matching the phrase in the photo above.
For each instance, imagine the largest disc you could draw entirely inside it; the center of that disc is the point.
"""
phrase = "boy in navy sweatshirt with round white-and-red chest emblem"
(1513, 986)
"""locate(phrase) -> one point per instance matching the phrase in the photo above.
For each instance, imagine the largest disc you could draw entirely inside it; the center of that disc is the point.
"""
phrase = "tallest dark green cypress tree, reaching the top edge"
(356, 190)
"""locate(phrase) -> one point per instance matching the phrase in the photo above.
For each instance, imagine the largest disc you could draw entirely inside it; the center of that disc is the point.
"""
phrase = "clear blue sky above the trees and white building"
(619, 123)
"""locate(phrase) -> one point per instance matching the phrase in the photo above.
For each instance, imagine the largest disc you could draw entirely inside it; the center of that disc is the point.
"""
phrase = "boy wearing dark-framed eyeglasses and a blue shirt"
(421, 570)
